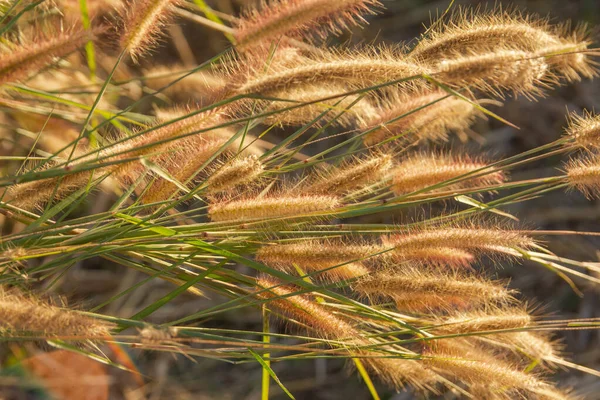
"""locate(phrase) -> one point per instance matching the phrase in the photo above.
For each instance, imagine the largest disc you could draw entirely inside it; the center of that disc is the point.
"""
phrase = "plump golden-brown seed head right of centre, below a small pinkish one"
(417, 290)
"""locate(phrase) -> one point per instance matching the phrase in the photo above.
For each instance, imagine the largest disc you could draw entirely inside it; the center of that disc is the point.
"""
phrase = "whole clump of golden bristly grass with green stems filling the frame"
(290, 179)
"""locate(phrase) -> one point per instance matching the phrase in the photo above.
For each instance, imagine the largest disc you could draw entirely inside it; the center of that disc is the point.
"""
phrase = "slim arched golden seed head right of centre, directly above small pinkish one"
(472, 238)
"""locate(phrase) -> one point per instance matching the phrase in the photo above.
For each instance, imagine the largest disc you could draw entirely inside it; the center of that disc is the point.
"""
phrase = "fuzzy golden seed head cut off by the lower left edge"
(20, 314)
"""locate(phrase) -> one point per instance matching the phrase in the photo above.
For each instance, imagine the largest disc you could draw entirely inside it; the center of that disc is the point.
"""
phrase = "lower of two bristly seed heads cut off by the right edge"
(583, 174)
